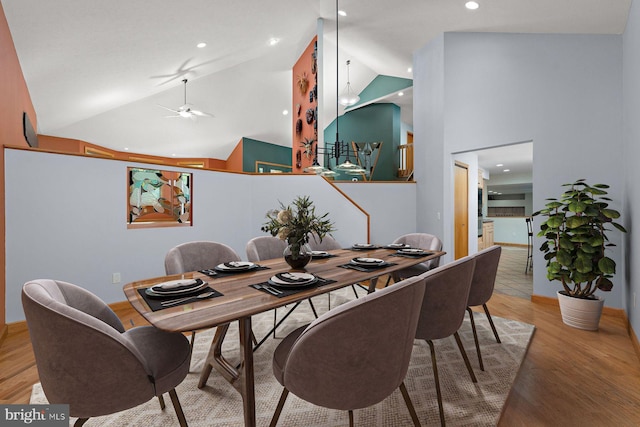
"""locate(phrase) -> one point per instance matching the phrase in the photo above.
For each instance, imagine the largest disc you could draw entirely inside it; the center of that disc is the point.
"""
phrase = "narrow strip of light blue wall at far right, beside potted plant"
(631, 135)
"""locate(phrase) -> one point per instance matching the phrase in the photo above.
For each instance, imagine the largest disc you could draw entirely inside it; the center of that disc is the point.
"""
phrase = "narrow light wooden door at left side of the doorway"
(461, 210)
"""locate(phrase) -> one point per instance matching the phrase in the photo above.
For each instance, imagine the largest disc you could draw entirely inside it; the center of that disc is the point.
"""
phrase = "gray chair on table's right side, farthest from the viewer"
(482, 284)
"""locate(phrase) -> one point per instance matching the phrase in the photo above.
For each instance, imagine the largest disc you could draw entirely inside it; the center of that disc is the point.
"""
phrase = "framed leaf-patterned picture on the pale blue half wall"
(158, 198)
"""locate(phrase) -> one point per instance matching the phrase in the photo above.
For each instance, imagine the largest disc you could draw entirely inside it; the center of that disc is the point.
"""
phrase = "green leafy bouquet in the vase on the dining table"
(297, 222)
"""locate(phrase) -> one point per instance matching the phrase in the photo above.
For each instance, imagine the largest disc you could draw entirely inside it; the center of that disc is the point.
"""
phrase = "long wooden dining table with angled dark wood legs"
(239, 301)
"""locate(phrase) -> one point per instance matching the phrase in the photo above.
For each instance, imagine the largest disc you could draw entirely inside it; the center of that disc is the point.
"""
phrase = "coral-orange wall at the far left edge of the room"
(14, 100)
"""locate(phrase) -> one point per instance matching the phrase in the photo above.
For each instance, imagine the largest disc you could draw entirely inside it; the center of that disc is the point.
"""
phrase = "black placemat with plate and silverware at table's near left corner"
(177, 292)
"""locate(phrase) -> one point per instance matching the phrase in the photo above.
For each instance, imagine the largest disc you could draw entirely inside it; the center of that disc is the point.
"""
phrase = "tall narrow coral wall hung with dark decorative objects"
(304, 67)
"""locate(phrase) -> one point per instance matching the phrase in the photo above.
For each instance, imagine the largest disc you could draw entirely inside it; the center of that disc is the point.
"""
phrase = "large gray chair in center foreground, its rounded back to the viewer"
(353, 357)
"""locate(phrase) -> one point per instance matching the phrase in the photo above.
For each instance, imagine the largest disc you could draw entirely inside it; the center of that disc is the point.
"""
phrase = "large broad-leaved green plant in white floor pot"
(575, 248)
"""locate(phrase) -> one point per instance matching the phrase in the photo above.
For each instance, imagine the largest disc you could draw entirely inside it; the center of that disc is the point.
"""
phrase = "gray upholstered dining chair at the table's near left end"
(87, 360)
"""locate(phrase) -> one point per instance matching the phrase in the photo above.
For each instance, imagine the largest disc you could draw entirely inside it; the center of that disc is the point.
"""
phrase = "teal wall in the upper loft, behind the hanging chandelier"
(372, 123)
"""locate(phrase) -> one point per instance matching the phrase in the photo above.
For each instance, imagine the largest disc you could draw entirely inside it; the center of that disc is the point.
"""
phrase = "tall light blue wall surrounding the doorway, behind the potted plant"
(564, 92)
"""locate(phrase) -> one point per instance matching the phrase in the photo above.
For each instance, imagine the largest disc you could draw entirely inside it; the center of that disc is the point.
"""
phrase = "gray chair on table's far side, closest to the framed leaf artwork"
(198, 255)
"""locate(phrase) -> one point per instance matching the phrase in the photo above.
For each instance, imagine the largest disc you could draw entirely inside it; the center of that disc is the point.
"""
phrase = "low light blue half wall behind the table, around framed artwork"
(66, 218)
